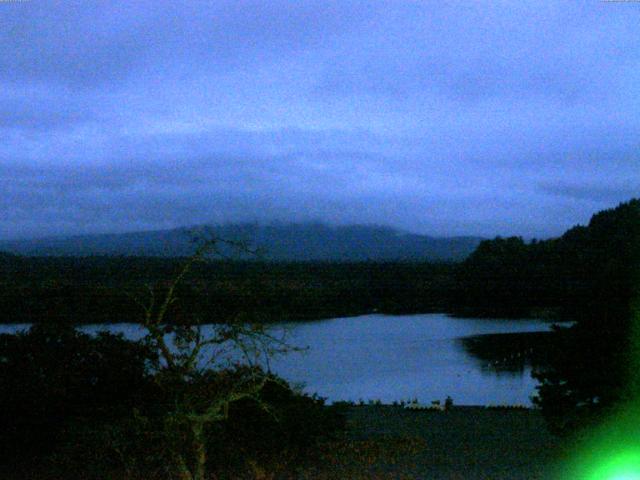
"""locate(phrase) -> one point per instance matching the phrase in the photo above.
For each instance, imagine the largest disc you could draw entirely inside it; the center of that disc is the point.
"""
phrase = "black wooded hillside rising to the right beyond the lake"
(588, 273)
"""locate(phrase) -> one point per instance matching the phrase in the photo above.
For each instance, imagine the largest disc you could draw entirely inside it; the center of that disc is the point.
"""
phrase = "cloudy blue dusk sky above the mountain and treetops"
(442, 118)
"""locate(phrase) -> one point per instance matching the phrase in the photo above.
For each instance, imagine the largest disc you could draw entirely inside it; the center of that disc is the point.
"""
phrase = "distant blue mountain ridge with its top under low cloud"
(279, 242)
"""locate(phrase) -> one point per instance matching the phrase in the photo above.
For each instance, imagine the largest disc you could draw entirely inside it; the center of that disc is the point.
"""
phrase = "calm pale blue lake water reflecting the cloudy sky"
(391, 357)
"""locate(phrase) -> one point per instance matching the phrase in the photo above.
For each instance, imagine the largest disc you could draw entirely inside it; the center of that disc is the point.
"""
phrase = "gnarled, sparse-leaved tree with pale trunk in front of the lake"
(202, 370)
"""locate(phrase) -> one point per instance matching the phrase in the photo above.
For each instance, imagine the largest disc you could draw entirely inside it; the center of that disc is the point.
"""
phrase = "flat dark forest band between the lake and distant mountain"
(101, 289)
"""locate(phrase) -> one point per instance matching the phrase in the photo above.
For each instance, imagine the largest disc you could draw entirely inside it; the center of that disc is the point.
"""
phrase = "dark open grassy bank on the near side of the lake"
(388, 442)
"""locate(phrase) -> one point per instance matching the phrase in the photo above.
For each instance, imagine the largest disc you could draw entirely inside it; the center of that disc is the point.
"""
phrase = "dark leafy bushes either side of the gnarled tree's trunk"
(71, 402)
